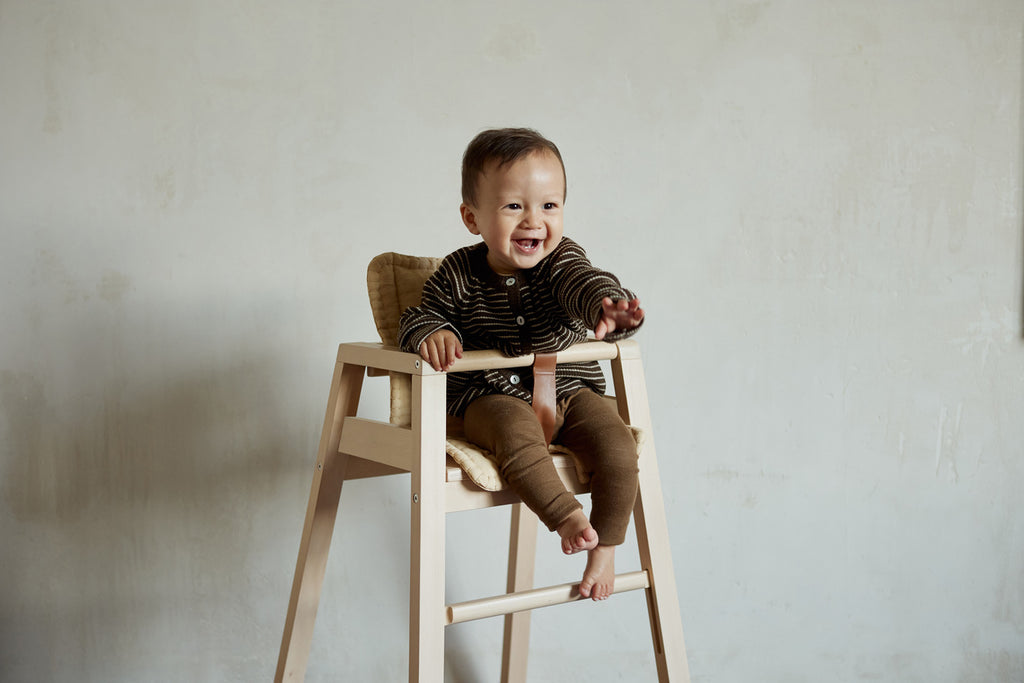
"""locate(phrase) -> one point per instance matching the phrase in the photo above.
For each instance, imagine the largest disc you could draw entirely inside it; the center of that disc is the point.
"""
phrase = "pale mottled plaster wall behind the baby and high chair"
(820, 203)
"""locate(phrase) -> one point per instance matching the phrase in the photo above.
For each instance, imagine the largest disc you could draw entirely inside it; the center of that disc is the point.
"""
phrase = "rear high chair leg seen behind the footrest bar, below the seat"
(523, 554)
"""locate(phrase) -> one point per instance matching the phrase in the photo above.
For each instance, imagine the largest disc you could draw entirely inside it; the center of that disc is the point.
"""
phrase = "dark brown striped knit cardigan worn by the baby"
(546, 309)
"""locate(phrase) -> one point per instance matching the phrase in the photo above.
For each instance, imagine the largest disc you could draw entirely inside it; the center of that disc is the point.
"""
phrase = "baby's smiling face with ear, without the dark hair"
(519, 211)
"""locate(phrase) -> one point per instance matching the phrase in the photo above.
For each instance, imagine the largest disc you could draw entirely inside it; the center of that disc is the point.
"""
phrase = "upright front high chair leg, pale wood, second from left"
(428, 611)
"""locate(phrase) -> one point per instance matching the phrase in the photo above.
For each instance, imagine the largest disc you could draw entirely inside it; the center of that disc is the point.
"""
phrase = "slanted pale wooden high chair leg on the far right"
(652, 527)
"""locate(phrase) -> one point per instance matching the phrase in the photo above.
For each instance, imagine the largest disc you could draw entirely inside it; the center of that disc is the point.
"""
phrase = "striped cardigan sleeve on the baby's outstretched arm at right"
(580, 288)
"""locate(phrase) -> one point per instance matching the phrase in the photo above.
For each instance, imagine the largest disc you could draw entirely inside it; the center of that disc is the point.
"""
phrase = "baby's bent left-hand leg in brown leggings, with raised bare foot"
(508, 429)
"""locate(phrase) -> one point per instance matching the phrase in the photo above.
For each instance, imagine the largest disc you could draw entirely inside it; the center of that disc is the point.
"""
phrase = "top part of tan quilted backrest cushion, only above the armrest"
(395, 283)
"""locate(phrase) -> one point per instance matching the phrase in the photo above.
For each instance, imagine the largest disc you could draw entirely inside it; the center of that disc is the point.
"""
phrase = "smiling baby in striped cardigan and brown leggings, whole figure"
(526, 289)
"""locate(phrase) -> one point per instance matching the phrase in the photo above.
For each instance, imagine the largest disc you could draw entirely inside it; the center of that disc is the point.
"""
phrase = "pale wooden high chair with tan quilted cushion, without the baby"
(414, 442)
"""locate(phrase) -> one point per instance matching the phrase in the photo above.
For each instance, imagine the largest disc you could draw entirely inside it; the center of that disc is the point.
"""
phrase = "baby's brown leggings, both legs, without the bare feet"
(587, 424)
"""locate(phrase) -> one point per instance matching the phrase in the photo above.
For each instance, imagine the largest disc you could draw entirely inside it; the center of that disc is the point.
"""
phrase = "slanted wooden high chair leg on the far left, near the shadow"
(321, 515)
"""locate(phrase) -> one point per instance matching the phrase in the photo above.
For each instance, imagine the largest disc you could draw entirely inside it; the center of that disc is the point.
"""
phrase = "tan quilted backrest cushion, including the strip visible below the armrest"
(395, 282)
